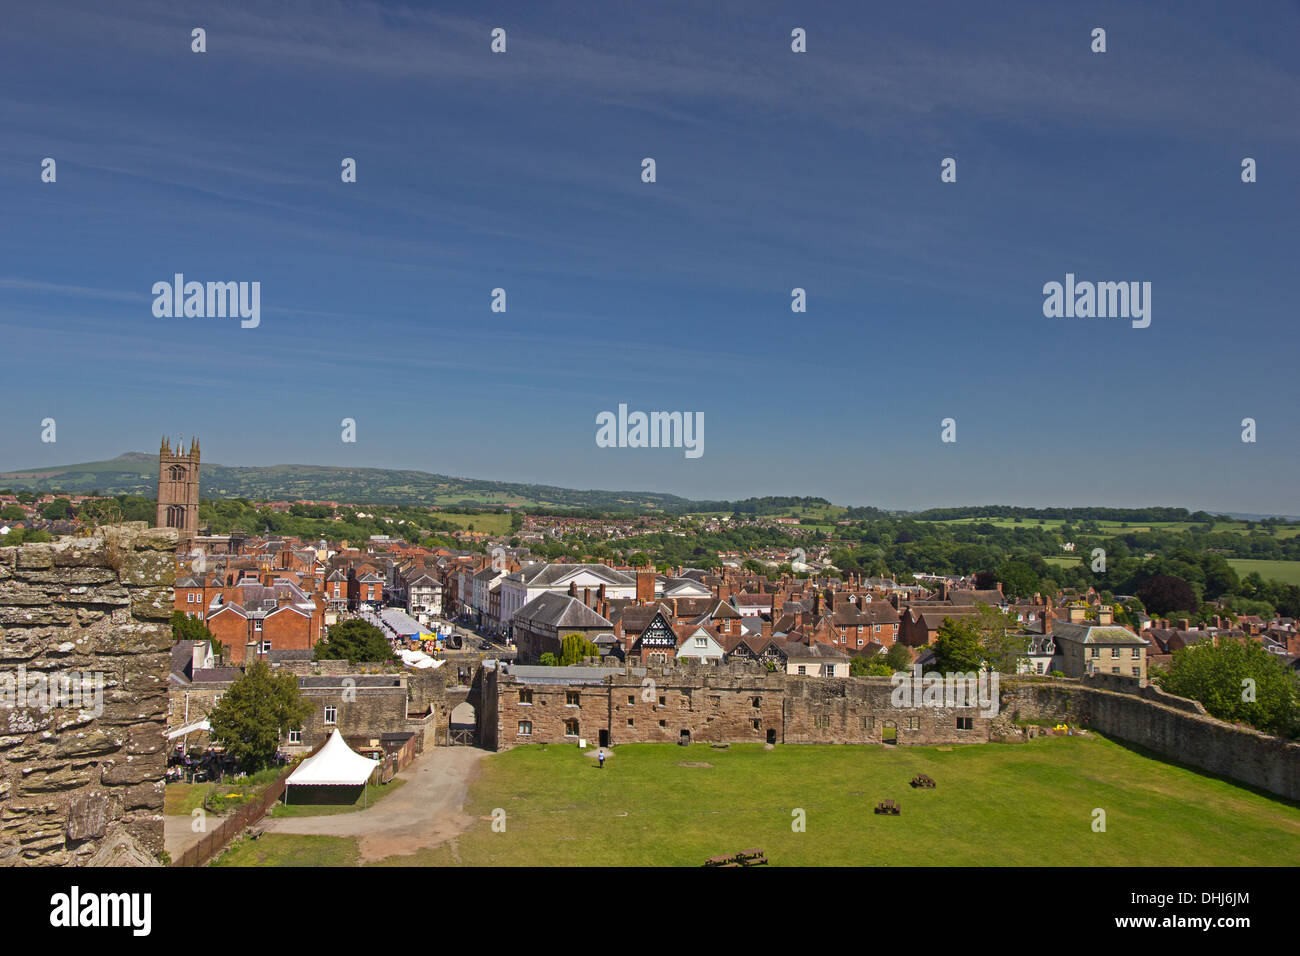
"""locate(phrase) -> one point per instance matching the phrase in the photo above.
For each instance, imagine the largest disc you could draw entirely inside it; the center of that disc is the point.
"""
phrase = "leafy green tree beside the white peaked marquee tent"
(255, 712)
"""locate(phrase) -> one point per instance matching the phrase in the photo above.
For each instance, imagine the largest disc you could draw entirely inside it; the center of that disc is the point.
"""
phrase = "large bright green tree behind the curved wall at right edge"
(1217, 677)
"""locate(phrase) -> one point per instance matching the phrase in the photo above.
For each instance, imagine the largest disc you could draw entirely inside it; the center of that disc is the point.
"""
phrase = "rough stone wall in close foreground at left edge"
(81, 777)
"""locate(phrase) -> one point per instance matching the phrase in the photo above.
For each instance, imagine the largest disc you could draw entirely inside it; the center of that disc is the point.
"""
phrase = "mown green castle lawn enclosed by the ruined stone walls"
(995, 806)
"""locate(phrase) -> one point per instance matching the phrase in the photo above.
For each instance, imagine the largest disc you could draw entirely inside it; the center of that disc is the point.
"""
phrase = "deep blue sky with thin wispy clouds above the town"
(775, 171)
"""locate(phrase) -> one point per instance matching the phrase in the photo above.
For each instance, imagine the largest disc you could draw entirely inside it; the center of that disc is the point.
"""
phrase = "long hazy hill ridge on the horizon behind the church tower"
(136, 473)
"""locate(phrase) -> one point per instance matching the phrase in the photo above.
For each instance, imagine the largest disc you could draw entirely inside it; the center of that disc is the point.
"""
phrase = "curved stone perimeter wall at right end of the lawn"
(1173, 728)
